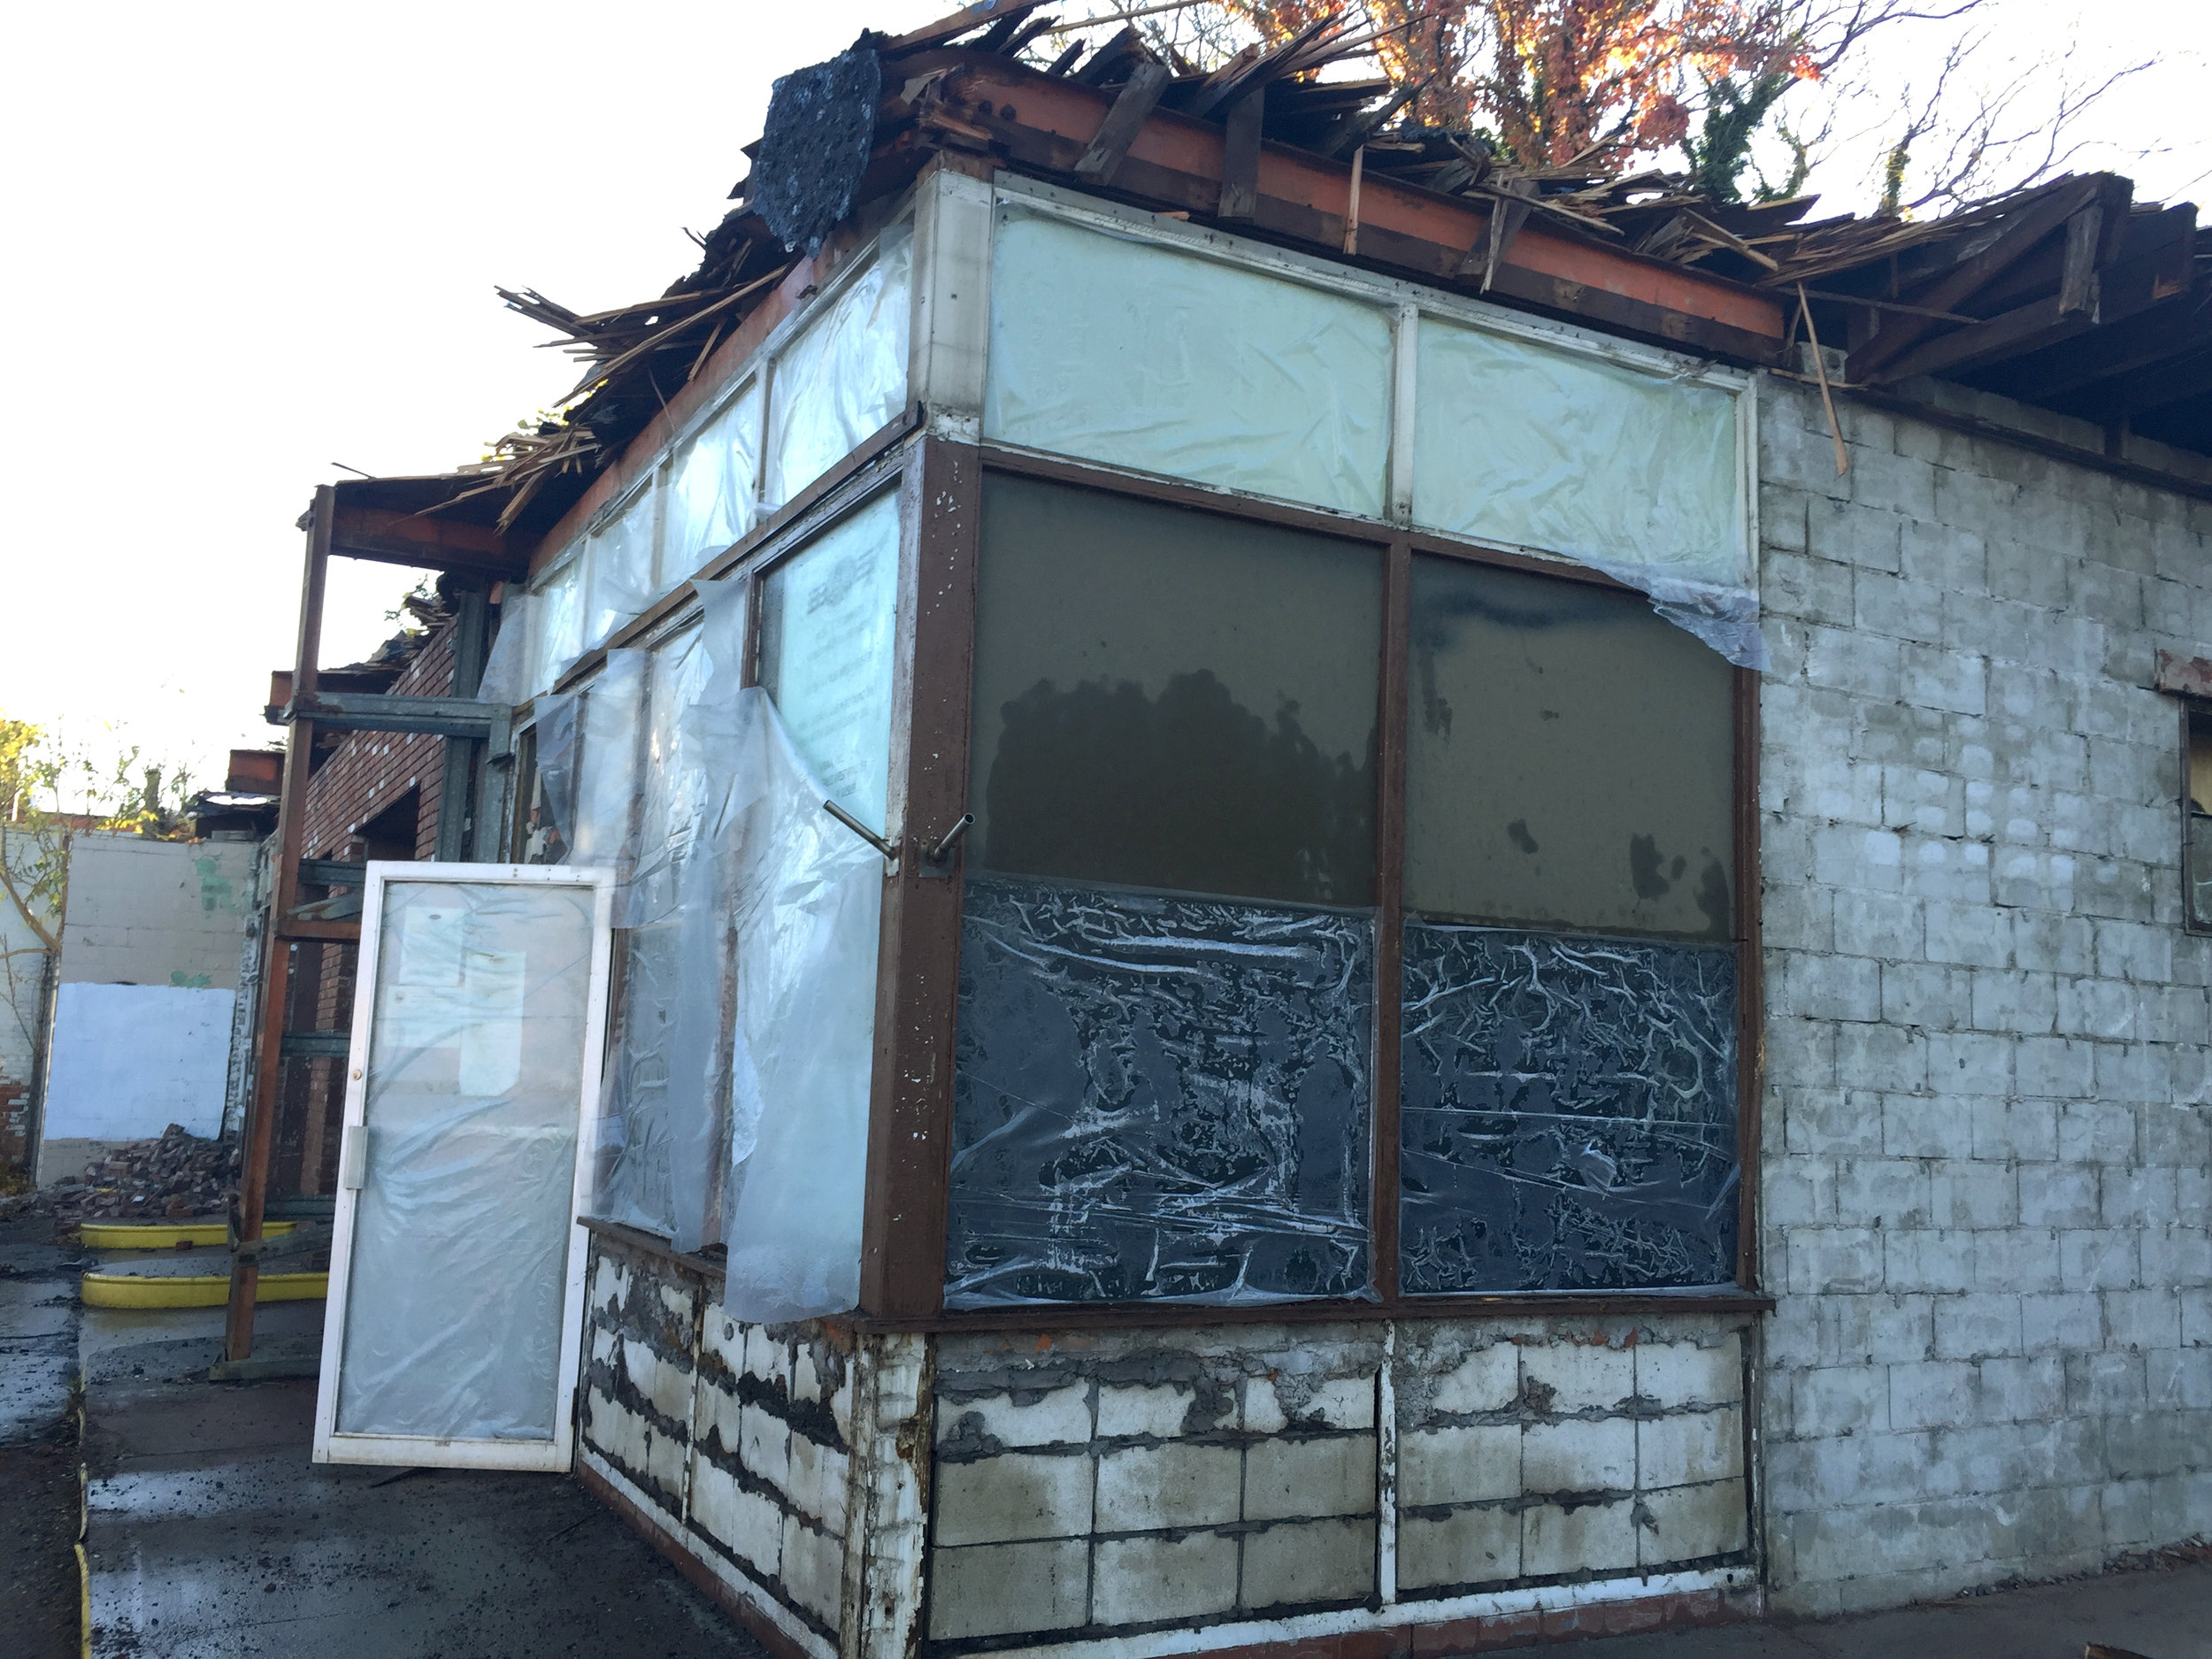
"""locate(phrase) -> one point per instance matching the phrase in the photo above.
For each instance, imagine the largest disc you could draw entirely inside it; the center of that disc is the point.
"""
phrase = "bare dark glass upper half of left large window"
(1173, 700)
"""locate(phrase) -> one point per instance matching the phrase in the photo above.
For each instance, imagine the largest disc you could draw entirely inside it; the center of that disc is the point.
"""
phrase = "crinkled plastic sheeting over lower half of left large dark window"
(1158, 1100)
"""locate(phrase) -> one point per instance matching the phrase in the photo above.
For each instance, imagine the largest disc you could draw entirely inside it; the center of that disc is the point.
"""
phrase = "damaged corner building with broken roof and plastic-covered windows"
(1213, 881)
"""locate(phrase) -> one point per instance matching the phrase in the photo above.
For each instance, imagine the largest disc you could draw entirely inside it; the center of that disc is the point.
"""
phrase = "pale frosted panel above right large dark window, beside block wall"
(1541, 448)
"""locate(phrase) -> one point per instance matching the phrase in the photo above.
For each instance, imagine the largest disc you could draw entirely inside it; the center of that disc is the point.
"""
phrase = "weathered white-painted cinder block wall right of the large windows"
(1985, 1191)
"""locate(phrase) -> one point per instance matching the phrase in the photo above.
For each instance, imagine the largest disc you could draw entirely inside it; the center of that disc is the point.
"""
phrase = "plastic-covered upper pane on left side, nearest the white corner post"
(844, 375)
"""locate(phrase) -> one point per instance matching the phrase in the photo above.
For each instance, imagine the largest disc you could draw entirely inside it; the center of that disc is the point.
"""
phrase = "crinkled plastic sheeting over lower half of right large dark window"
(1567, 1114)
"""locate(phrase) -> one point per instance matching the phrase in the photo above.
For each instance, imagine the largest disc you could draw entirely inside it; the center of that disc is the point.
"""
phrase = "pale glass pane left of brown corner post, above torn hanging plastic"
(826, 654)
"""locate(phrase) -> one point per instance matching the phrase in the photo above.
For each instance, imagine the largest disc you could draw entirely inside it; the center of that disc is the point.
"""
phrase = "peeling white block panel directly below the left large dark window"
(1151, 1479)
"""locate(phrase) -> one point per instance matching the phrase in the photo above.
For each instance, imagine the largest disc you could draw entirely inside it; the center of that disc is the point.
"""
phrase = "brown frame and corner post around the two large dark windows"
(917, 1012)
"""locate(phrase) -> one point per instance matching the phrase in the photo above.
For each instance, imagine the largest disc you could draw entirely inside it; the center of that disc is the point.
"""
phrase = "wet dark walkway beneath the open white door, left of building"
(213, 1536)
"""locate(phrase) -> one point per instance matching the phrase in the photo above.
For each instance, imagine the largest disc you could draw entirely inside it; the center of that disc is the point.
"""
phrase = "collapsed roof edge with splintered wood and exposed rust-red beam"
(2067, 295)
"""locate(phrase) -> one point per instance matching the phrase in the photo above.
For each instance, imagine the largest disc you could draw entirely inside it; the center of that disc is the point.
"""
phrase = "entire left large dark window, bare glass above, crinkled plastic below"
(1167, 981)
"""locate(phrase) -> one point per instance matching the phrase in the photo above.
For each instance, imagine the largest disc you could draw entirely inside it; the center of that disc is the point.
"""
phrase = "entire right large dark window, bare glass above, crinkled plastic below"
(1569, 1030)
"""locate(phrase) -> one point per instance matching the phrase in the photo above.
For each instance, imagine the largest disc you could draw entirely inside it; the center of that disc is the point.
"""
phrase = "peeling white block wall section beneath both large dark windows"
(1154, 1479)
